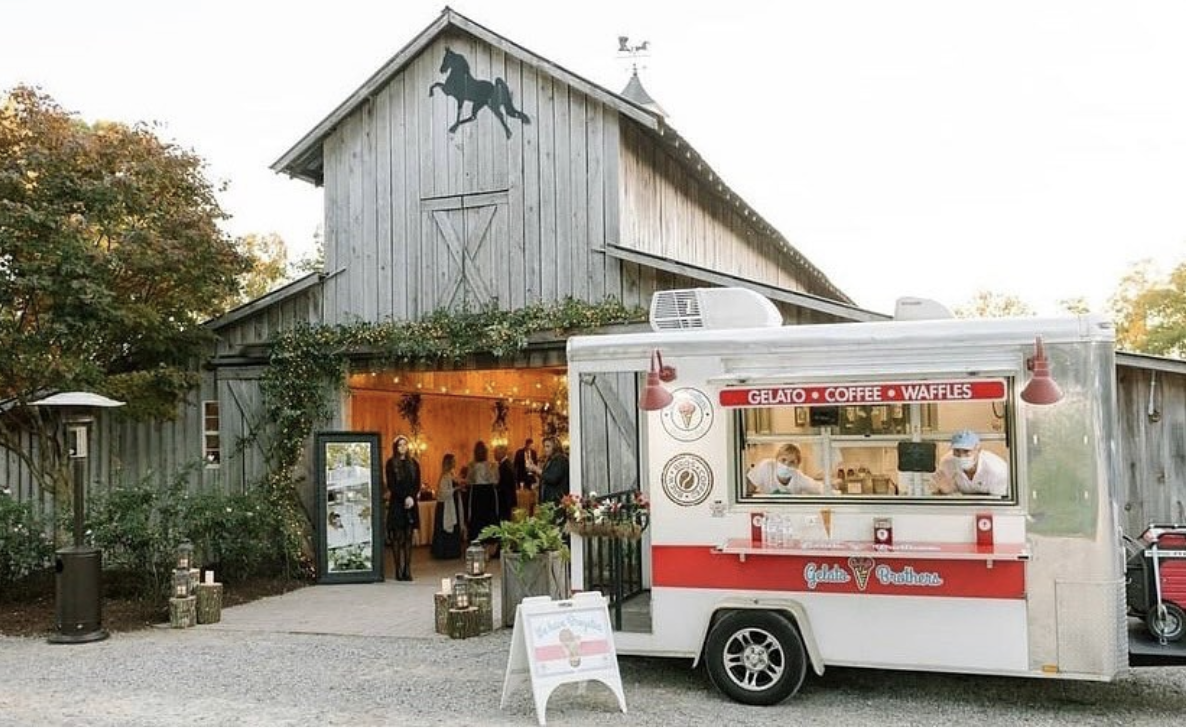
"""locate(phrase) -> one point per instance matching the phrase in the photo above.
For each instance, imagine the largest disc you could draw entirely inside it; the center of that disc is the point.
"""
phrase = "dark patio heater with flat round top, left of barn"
(80, 569)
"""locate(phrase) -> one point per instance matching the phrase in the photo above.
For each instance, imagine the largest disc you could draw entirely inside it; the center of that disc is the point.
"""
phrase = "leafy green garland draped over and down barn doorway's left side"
(310, 365)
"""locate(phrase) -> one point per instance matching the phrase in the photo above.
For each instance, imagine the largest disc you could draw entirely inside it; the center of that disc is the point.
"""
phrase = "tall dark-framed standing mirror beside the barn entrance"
(350, 508)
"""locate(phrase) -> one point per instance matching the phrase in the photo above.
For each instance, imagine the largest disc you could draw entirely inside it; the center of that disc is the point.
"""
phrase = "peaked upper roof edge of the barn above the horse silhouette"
(305, 159)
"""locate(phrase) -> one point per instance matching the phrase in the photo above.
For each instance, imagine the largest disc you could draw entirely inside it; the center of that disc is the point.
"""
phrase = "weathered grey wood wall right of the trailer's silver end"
(1152, 450)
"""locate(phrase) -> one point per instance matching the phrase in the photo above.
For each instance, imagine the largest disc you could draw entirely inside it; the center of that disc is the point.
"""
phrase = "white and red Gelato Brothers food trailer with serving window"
(875, 569)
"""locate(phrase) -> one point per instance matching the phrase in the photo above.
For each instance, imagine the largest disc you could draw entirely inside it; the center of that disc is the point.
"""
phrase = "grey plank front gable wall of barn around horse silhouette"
(410, 206)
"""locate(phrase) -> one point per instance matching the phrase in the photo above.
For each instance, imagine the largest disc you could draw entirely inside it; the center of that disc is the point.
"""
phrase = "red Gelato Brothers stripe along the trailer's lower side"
(703, 567)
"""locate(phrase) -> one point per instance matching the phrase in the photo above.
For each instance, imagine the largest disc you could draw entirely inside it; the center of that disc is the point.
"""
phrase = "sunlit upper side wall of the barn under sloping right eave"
(669, 213)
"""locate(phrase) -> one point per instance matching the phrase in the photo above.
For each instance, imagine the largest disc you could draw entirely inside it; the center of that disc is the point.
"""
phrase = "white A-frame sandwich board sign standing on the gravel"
(562, 642)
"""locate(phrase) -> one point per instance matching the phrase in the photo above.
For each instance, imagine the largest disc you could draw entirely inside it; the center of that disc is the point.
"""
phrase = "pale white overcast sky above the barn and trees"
(927, 149)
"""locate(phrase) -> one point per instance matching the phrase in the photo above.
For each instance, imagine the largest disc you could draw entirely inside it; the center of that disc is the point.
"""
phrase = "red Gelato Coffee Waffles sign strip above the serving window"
(871, 393)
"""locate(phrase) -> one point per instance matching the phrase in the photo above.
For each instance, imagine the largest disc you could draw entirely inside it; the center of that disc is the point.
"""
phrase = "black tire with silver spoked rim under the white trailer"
(756, 657)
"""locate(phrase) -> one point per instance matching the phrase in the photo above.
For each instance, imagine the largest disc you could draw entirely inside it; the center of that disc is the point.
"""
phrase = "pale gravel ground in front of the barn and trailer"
(211, 678)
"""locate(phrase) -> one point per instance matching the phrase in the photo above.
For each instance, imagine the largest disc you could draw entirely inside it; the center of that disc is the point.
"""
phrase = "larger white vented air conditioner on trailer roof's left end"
(712, 309)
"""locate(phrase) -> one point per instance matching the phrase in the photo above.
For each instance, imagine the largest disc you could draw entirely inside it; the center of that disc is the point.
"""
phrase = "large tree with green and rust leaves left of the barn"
(111, 258)
